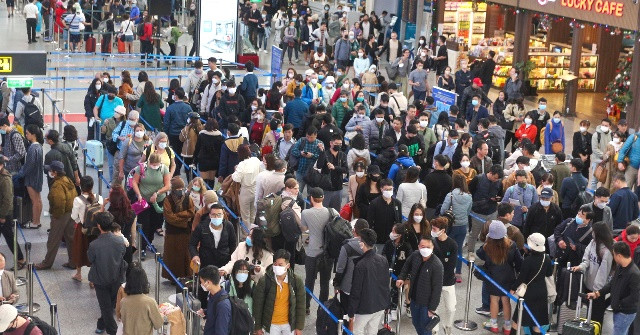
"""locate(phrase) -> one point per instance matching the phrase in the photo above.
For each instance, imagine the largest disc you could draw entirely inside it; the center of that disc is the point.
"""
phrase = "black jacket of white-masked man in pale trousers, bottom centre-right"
(426, 285)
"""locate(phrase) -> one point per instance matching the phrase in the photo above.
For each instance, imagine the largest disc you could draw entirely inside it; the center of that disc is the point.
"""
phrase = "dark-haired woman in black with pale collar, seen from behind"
(206, 155)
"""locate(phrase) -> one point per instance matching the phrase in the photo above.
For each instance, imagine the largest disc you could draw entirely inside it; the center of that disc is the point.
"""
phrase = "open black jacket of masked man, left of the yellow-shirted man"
(209, 254)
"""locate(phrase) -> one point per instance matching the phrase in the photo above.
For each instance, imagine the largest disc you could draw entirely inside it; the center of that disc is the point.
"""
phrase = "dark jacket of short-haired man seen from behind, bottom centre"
(370, 285)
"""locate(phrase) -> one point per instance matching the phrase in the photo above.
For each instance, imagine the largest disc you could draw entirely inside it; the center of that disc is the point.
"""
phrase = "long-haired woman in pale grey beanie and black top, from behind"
(502, 261)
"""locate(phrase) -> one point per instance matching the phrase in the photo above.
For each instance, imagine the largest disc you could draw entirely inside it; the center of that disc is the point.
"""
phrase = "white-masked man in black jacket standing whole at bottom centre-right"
(426, 273)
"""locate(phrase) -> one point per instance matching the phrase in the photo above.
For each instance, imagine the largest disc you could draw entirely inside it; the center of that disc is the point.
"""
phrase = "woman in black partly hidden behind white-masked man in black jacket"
(396, 251)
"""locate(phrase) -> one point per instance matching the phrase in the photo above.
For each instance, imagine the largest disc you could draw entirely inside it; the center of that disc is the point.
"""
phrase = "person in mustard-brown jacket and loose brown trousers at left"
(62, 192)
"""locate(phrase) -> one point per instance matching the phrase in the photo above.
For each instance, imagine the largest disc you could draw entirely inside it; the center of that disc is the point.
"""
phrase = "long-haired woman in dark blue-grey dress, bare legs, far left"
(32, 172)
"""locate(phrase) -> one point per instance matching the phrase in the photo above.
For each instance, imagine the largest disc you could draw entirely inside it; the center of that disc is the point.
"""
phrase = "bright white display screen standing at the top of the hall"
(218, 19)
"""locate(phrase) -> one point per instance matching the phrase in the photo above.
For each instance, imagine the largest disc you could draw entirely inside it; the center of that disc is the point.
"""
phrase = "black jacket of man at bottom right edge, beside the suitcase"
(624, 288)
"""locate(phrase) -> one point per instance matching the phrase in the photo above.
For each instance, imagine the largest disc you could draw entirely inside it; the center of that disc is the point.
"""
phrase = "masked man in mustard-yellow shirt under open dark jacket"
(279, 299)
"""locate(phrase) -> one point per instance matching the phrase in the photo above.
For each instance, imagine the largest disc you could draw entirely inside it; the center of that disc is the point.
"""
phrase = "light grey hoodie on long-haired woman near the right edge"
(596, 273)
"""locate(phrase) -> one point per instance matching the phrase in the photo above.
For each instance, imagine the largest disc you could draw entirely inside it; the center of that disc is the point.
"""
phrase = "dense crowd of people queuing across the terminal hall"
(421, 188)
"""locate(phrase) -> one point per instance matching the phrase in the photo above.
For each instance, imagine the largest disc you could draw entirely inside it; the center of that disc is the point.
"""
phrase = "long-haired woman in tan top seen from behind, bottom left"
(138, 311)
